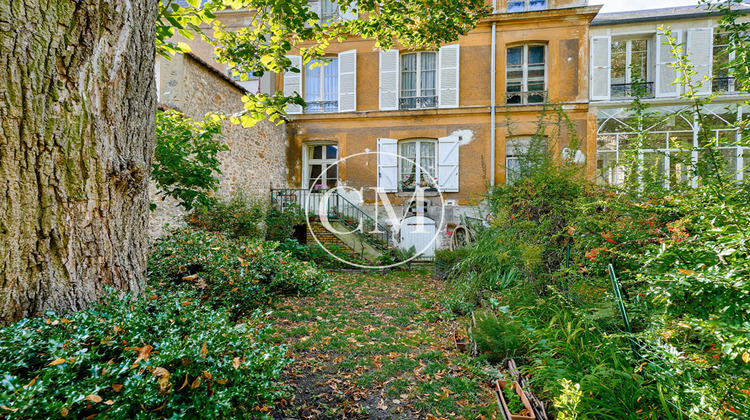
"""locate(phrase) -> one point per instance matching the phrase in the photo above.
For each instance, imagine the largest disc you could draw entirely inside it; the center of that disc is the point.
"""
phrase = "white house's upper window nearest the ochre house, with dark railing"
(630, 69)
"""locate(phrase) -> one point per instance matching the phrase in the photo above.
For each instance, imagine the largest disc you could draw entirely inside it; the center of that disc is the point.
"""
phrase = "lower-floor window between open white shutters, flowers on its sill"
(410, 175)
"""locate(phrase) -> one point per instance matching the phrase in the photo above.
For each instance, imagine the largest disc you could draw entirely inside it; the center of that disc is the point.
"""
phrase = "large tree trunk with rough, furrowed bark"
(77, 106)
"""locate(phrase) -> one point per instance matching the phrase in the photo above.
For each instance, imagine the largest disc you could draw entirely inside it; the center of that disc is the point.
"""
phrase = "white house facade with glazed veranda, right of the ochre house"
(630, 57)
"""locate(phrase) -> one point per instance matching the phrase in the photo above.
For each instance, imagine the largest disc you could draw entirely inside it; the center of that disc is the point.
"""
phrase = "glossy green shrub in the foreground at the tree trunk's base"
(165, 356)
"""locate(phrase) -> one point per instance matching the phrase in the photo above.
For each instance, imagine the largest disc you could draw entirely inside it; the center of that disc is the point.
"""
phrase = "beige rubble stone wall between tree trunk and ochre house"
(256, 159)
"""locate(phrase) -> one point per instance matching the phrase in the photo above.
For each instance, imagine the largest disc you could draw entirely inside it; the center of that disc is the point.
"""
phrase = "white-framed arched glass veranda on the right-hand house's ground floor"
(668, 153)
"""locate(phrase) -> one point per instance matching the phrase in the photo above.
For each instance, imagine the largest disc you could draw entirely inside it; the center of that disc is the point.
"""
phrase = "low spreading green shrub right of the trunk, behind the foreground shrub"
(239, 274)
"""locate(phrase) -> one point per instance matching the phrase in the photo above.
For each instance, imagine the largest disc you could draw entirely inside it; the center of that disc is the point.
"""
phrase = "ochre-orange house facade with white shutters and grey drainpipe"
(454, 111)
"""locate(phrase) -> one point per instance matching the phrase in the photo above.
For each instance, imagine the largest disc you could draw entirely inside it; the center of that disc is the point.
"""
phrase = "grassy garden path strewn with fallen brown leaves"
(377, 346)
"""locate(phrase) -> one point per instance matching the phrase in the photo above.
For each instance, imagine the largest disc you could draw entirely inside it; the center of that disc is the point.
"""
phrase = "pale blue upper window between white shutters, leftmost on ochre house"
(322, 86)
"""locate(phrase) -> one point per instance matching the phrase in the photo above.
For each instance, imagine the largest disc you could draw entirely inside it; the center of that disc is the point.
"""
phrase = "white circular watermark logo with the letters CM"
(375, 228)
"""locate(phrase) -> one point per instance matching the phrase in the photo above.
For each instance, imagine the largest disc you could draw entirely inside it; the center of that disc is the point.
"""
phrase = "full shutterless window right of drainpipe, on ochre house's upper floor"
(525, 74)
